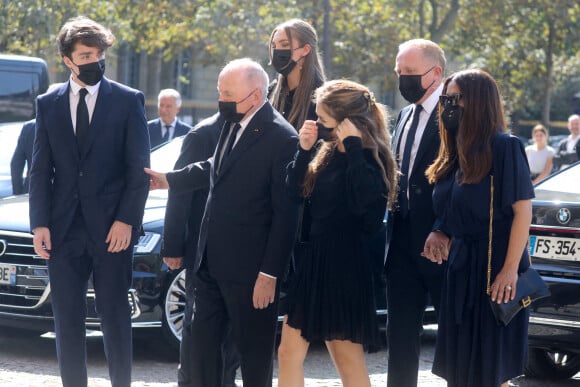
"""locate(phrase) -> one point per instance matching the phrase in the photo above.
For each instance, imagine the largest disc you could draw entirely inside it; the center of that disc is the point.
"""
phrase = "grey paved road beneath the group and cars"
(30, 361)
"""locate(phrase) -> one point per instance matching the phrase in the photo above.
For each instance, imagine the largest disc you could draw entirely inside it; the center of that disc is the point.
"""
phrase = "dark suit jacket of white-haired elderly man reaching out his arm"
(249, 224)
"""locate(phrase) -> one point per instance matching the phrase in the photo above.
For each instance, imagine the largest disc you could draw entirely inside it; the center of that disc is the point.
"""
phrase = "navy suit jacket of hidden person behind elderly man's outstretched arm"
(184, 211)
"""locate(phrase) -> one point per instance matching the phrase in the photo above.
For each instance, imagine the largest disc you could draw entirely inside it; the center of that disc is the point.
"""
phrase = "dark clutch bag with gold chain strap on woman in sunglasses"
(529, 287)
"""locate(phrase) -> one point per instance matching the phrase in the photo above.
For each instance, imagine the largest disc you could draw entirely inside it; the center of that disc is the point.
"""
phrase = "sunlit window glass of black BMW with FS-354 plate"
(562, 187)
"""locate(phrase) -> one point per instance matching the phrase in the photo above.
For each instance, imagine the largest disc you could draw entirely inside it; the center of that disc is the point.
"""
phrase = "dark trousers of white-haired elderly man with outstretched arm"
(217, 305)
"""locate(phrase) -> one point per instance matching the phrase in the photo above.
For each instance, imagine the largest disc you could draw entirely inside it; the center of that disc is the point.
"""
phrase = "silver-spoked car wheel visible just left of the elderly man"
(174, 310)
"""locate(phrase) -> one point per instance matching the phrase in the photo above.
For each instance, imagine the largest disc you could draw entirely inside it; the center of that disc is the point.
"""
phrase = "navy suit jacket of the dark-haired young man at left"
(105, 179)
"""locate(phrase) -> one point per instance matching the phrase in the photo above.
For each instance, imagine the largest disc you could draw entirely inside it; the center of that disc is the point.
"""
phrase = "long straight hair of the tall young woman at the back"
(311, 75)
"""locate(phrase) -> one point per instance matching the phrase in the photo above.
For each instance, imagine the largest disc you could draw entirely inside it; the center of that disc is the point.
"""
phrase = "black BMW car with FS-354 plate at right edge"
(554, 331)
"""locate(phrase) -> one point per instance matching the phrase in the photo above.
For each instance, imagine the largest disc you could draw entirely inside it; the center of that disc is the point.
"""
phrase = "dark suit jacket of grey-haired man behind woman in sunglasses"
(421, 214)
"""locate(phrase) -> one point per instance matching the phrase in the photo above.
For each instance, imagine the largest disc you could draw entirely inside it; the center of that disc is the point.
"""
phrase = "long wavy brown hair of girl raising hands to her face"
(347, 99)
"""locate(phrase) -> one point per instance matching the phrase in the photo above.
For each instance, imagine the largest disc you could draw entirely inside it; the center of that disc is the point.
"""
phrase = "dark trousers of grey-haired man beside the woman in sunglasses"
(411, 278)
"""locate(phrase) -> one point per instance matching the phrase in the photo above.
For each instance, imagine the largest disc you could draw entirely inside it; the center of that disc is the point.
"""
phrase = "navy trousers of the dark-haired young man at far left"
(70, 267)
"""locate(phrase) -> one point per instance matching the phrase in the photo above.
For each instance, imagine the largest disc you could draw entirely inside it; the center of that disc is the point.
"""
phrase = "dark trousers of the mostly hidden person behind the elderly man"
(229, 351)
